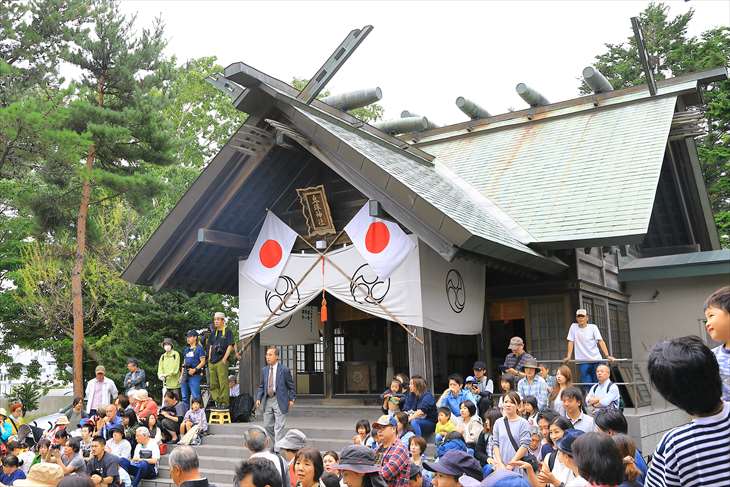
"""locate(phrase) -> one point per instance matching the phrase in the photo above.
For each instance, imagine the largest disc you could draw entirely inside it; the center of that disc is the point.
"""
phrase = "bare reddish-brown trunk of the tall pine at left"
(76, 282)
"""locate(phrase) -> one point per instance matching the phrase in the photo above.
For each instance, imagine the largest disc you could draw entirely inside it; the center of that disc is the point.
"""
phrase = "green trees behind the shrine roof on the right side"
(673, 53)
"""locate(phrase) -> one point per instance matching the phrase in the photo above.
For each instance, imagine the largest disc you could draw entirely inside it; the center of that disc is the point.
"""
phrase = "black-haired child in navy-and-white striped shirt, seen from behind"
(686, 373)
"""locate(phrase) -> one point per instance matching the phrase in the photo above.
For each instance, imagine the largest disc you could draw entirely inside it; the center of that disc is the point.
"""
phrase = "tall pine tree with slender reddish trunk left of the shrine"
(119, 107)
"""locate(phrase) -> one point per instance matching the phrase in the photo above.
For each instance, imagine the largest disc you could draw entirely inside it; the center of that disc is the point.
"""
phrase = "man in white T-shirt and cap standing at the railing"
(586, 339)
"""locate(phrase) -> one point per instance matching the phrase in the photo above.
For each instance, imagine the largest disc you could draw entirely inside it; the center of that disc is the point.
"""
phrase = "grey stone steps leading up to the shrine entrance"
(328, 425)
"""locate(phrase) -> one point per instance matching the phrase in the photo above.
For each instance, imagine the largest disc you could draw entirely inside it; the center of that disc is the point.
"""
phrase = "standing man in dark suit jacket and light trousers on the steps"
(276, 393)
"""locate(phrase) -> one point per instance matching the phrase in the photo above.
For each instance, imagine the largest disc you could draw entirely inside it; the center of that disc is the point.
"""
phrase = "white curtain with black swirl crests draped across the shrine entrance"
(425, 290)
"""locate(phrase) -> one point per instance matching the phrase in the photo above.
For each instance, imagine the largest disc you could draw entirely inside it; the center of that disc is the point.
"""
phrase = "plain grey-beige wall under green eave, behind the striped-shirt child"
(676, 311)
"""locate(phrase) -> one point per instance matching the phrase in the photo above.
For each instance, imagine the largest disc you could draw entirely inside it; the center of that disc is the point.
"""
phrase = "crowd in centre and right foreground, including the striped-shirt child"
(542, 431)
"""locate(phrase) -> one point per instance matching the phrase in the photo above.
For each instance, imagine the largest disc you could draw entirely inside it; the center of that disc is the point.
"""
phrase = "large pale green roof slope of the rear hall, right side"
(587, 176)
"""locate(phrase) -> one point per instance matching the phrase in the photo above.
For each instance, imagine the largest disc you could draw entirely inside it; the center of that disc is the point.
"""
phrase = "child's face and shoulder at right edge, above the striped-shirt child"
(717, 312)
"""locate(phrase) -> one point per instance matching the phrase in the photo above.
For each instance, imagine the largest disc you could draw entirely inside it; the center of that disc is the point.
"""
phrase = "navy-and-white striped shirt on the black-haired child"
(696, 454)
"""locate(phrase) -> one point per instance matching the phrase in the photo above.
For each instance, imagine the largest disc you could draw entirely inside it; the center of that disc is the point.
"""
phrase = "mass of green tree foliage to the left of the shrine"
(155, 130)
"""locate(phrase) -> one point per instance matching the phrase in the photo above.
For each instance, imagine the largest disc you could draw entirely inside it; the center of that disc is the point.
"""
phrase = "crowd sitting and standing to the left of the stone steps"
(115, 437)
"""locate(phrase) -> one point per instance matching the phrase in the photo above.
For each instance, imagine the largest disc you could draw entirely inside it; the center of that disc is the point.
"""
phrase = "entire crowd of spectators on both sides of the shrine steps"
(542, 430)
